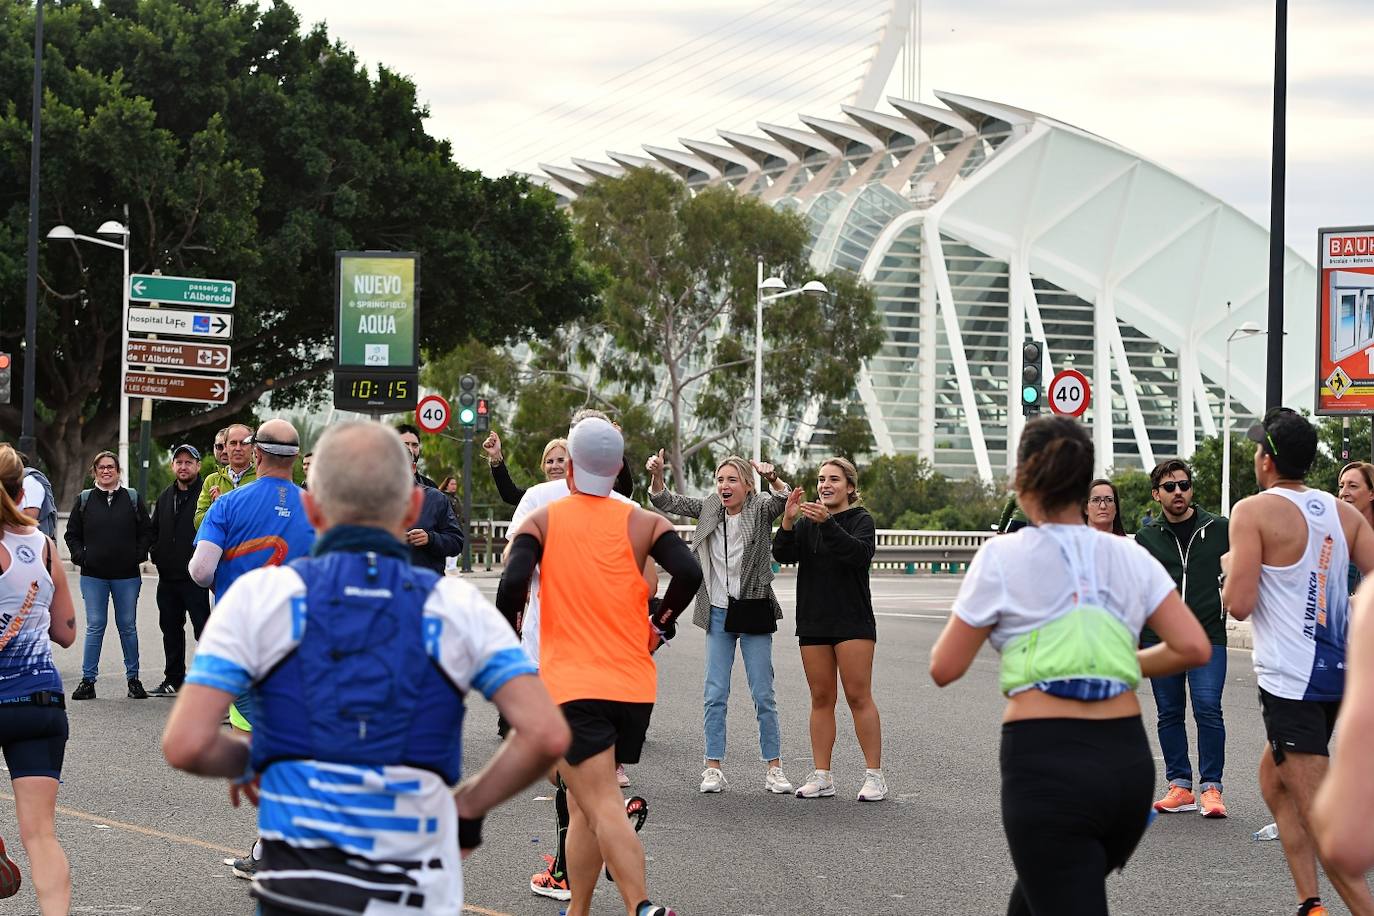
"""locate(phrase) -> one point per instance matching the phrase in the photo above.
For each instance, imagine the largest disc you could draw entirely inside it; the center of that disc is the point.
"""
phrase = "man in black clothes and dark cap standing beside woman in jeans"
(174, 542)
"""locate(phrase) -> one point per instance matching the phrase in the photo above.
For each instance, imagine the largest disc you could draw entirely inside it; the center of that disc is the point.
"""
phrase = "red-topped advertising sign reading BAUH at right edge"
(1346, 322)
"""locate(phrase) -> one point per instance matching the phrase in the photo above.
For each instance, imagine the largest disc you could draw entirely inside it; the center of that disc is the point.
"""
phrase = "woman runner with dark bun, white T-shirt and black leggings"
(1064, 605)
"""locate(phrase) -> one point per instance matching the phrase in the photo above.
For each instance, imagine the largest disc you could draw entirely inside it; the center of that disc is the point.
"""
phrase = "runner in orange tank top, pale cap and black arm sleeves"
(597, 648)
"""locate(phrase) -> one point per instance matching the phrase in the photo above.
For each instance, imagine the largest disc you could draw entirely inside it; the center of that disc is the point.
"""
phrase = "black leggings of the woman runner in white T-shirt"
(1075, 803)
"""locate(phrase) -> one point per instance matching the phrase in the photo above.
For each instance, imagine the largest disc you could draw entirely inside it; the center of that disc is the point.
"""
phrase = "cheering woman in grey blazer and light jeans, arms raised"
(733, 545)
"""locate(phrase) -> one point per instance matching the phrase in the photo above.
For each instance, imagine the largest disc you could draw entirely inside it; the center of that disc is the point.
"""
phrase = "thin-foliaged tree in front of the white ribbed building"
(679, 311)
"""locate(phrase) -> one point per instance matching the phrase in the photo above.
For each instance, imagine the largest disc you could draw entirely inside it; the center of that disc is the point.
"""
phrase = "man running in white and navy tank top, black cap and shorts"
(1288, 573)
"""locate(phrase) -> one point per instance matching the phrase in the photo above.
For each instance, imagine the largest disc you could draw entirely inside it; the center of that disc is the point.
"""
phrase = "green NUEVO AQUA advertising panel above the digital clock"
(377, 311)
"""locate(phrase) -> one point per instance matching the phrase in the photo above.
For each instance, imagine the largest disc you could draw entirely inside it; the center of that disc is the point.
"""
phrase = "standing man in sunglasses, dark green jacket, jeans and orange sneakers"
(1189, 543)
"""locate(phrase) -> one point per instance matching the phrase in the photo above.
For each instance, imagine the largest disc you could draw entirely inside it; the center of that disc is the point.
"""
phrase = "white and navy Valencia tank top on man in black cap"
(1303, 610)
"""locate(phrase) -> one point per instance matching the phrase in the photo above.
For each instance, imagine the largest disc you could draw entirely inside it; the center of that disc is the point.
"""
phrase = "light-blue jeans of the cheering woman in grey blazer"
(721, 660)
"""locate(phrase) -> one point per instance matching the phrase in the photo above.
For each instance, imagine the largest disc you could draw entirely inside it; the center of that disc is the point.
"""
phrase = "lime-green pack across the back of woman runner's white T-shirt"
(1085, 643)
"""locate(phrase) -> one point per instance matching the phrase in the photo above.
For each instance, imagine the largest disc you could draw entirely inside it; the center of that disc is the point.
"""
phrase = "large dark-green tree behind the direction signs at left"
(245, 150)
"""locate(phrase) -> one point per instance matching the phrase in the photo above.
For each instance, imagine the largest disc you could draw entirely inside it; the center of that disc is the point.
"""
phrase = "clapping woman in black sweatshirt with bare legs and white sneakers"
(832, 540)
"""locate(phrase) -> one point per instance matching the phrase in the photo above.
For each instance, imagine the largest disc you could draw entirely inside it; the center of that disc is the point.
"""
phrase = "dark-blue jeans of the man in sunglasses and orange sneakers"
(1171, 698)
